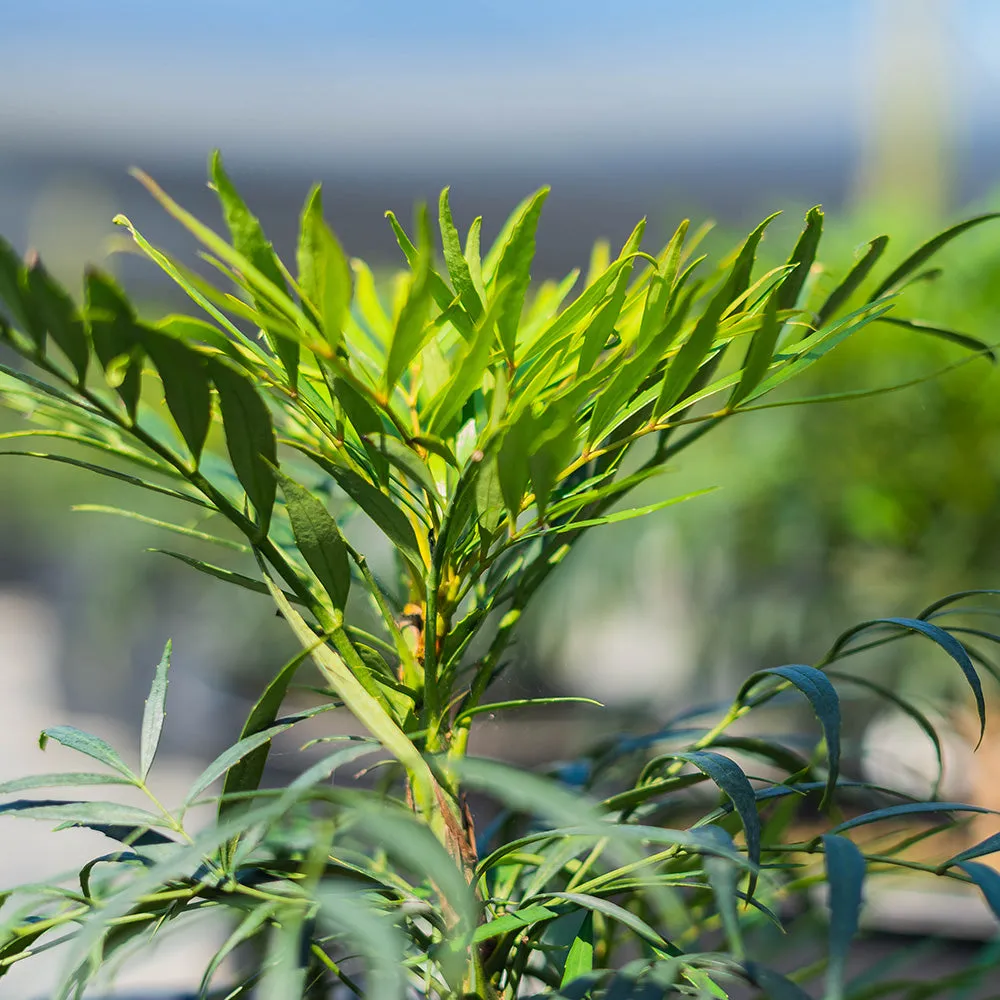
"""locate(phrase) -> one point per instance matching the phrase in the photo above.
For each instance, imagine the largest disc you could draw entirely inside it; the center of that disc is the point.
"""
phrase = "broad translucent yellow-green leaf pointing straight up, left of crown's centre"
(324, 272)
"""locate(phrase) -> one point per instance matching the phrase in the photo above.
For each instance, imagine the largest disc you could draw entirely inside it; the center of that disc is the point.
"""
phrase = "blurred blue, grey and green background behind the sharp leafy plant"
(884, 111)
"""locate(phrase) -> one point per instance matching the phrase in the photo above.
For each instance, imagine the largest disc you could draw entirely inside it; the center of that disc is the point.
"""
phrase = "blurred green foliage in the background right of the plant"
(833, 511)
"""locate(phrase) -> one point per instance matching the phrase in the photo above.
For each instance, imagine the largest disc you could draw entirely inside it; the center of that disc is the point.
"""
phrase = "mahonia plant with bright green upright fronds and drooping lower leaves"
(484, 428)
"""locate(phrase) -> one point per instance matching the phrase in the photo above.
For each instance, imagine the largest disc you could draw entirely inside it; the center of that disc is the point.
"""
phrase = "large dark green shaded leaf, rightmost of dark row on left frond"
(249, 438)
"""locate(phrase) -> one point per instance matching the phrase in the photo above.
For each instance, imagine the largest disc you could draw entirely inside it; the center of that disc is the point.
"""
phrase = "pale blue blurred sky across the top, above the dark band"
(499, 79)
